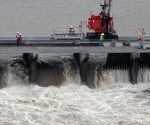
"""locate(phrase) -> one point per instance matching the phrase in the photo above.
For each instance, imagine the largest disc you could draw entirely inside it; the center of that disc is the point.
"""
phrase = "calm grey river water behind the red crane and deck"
(38, 18)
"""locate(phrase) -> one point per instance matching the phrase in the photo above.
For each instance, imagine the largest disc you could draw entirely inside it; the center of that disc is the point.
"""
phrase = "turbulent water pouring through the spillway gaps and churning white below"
(114, 100)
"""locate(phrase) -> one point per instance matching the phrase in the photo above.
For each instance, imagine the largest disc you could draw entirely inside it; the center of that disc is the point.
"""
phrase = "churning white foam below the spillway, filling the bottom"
(75, 105)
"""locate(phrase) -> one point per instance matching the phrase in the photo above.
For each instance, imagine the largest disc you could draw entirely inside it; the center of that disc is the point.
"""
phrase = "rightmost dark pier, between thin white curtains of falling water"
(134, 67)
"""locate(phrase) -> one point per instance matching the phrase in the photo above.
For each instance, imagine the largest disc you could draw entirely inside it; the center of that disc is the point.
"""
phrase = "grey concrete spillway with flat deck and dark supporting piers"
(121, 56)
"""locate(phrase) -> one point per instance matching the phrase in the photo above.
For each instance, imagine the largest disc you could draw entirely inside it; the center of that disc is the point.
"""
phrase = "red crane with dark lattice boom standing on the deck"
(102, 23)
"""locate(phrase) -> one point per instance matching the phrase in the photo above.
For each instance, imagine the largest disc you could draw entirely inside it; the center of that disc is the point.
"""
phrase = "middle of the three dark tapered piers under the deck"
(82, 59)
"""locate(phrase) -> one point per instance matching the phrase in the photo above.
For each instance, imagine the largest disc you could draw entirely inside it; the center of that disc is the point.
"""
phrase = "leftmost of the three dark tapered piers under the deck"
(31, 62)
